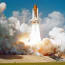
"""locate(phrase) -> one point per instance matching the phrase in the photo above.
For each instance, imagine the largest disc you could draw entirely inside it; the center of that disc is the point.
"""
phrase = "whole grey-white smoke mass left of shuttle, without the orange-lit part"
(11, 27)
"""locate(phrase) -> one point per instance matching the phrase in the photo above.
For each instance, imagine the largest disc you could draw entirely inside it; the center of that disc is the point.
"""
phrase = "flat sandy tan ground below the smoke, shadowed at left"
(25, 59)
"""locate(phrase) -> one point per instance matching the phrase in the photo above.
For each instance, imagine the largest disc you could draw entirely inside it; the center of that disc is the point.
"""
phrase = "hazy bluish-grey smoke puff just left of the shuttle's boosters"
(24, 16)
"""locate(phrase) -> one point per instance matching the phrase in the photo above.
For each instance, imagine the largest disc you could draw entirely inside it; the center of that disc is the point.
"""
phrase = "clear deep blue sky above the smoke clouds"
(45, 6)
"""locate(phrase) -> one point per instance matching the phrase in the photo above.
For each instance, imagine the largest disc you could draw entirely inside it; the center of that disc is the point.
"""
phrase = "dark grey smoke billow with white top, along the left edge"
(8, 31)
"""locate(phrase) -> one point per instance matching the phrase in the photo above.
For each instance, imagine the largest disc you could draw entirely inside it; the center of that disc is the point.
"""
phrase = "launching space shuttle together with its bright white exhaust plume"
(35, 37)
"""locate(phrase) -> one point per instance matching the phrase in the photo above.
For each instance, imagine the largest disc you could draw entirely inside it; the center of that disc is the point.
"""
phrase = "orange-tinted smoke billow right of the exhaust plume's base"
(46, 47)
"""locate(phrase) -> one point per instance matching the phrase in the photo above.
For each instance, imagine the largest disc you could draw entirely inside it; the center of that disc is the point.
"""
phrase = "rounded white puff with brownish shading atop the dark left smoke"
(14, 25)
